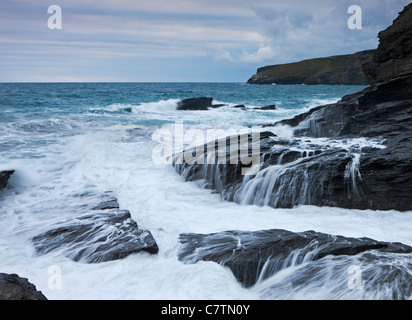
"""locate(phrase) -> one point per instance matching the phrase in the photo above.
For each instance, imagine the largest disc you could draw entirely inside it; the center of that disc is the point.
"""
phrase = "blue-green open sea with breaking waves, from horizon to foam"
(34, 114)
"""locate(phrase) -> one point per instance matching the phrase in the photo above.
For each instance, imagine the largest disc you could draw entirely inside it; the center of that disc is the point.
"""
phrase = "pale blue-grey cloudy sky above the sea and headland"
(178, 40)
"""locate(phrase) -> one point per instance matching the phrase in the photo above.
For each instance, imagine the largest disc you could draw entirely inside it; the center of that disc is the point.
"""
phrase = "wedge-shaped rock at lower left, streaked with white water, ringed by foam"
(105, 235)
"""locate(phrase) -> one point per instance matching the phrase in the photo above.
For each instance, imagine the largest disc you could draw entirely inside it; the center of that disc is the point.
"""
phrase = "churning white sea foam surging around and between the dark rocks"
(44, 190)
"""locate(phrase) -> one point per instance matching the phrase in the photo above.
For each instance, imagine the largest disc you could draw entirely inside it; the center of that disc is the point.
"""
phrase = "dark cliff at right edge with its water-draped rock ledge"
(373, 176)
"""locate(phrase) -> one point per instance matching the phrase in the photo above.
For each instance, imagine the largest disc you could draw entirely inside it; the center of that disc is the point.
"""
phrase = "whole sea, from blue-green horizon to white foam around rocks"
(67, 139)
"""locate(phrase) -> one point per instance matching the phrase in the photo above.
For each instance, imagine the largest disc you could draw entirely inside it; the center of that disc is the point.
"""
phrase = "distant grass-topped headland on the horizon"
(343, 69)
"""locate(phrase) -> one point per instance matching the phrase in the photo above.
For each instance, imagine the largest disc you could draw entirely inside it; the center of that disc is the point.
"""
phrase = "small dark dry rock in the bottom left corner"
(13, 287)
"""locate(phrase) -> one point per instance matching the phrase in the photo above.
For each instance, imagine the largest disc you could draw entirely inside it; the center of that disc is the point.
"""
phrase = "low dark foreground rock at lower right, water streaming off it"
(257, 255)
